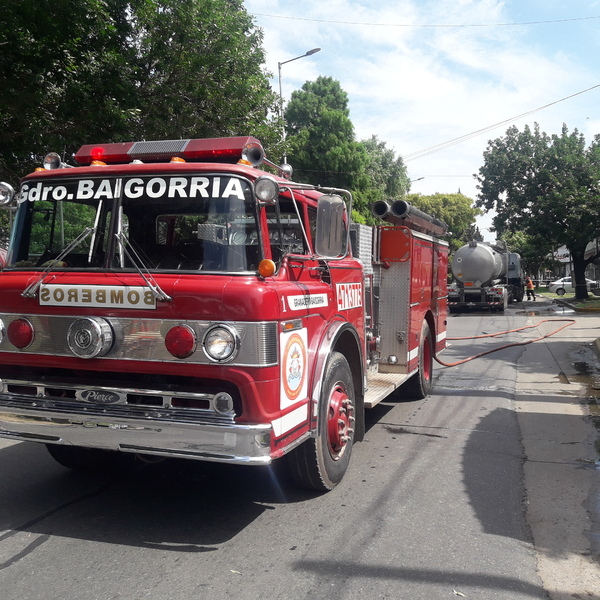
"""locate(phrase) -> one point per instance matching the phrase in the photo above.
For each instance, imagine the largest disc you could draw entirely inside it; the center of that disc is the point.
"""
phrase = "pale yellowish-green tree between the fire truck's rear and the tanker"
(456, 210)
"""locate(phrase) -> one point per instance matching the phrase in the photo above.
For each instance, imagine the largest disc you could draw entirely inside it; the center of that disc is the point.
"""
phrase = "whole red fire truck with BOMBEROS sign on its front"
(173, 299)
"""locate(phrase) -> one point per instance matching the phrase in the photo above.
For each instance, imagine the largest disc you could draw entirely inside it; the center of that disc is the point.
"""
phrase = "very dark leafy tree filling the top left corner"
(65, 71)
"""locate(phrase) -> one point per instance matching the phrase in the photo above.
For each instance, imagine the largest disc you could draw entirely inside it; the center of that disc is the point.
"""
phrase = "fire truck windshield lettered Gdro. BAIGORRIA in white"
(189, 223)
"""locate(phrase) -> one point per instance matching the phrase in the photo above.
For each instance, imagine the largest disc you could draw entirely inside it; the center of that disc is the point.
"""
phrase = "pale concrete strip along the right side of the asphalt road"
(562, 469)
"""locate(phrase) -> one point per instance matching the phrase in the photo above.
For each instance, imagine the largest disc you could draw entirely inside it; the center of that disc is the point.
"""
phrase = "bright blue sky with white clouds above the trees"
(420, 73)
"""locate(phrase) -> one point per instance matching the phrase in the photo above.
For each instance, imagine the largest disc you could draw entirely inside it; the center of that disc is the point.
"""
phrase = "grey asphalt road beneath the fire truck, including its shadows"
(433, 507)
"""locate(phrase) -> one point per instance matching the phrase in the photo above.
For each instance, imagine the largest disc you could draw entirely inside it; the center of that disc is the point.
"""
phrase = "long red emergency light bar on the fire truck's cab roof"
(224, 150)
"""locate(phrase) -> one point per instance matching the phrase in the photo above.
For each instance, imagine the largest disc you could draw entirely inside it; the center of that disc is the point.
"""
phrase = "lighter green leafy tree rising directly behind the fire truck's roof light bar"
(199, 71)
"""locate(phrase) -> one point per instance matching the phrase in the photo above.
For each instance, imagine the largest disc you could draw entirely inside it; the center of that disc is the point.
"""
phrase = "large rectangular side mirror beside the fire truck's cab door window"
(331, 239)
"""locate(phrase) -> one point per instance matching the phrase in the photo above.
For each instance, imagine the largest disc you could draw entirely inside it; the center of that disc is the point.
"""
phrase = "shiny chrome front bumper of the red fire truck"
(227, 443)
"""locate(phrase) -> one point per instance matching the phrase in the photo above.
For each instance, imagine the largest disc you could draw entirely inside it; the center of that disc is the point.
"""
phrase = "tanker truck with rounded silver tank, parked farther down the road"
(486, 276)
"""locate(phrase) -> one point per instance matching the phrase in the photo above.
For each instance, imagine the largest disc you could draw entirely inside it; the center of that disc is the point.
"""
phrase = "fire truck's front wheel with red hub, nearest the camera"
(321, 462)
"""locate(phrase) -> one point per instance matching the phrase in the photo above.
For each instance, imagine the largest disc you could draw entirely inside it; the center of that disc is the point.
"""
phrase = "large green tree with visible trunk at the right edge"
(547, 187)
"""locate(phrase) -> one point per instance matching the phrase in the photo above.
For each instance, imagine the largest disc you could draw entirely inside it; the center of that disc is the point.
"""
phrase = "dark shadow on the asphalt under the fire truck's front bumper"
(174, 505)
